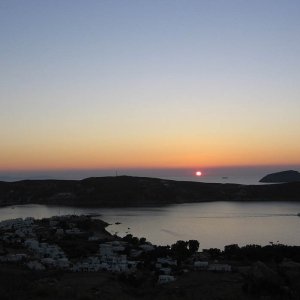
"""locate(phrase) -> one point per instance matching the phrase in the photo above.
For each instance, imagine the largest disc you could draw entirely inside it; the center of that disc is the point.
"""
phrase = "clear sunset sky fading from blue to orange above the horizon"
(105, 84)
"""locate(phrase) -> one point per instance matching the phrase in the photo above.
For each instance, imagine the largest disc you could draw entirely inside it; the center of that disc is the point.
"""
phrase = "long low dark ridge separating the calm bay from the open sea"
(137, 191)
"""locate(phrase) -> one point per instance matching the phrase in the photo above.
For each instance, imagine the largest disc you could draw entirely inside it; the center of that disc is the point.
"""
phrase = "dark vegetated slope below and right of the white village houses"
(259, 272)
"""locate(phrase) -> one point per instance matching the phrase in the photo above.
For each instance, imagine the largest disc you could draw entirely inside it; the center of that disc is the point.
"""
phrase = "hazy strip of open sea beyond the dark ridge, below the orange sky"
(240, 175)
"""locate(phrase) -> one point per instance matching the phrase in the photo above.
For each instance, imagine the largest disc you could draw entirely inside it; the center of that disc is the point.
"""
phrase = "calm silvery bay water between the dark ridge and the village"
(213, 224)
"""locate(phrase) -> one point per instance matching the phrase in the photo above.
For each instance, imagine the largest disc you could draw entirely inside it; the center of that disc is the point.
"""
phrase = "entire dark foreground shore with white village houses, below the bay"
(69, 256)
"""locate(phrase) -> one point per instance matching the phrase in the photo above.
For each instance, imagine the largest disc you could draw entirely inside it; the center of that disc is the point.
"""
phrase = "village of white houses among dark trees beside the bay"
(81, 244)
